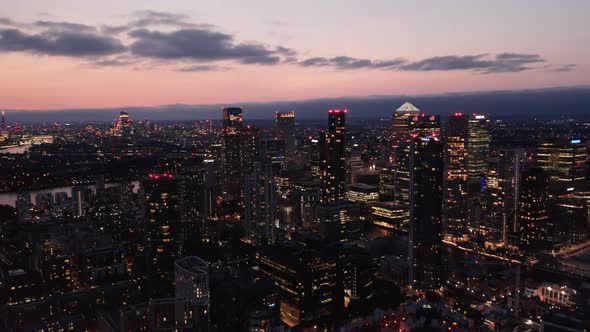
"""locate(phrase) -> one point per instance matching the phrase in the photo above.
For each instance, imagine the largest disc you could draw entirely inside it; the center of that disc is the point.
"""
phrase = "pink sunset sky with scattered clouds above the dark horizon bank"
(63, 54)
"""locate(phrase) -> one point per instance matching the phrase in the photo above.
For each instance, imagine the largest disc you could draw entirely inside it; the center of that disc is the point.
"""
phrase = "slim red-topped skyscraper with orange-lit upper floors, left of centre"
(232, 153)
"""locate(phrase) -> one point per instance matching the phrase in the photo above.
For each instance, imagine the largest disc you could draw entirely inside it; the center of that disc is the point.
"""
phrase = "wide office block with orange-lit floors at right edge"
(564, 160)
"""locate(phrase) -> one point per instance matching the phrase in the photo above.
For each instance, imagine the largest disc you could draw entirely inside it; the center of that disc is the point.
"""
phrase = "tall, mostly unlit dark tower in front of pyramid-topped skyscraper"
(425, 229)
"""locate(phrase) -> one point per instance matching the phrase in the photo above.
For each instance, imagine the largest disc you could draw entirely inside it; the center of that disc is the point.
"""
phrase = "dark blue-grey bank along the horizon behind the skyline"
(541, 103)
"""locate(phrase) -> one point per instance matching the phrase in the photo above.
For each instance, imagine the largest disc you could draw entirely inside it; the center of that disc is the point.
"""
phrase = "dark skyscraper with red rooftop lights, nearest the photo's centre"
(333, 157)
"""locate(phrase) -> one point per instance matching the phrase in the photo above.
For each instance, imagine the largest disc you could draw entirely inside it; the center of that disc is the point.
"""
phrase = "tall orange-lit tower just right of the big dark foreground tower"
(455, 212)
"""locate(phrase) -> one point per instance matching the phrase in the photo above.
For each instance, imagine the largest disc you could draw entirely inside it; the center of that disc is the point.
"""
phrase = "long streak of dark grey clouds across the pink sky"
(199, 46)
